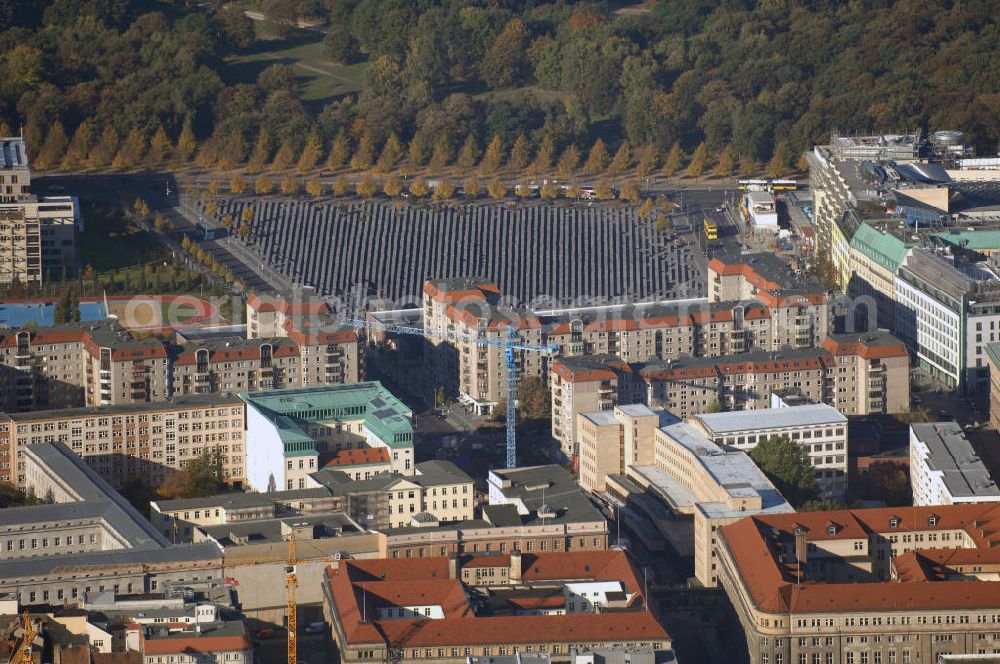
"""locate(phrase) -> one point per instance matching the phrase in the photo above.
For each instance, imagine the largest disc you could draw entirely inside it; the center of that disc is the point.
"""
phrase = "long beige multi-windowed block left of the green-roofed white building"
(136, 442)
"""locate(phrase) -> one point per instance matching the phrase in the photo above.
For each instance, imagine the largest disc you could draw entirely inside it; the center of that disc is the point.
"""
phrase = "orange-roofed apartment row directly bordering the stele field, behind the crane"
(755, 302)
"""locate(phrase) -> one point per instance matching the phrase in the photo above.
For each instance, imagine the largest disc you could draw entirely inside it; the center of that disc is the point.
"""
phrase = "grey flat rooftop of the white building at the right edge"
(951, 454)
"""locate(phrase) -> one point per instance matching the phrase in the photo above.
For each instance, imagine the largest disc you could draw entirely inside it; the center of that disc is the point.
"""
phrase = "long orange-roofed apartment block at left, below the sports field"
(102, 364)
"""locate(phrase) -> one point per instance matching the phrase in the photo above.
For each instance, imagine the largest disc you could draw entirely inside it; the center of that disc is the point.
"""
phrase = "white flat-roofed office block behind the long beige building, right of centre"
(821, 430)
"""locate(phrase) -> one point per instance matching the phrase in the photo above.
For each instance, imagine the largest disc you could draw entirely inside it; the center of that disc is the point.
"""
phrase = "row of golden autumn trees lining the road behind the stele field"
(90, 149)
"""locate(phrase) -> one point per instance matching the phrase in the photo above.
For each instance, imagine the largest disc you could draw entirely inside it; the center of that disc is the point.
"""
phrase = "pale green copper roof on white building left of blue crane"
(292, 410)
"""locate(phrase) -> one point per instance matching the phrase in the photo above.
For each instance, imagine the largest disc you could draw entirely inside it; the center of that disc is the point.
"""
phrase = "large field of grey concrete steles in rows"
(602, 251)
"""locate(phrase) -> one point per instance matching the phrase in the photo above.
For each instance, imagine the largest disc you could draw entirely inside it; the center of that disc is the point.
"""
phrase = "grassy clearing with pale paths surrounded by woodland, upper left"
(321, 79)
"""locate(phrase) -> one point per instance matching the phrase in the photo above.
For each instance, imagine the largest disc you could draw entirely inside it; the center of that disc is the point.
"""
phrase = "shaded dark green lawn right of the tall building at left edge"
(110, 242)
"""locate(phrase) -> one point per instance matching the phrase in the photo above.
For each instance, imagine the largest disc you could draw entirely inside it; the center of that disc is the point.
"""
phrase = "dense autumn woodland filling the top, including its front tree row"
(518, 84)
